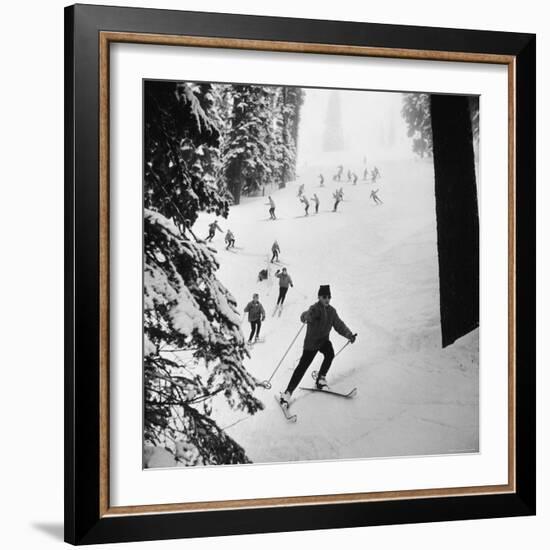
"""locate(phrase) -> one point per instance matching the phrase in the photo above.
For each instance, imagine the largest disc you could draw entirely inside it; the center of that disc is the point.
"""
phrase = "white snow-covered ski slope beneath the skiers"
(414, 398)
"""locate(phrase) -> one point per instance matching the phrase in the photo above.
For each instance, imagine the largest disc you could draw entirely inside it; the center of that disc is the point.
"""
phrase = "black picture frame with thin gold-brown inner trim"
(89, 33)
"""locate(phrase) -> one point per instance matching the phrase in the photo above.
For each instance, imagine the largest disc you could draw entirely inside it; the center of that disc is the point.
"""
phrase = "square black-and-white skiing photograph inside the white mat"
(311, 274)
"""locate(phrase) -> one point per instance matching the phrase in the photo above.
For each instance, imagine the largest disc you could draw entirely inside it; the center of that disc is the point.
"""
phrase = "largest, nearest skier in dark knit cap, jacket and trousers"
(320, 318)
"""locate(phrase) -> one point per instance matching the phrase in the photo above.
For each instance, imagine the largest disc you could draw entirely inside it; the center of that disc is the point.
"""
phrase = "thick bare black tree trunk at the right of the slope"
(457, 216)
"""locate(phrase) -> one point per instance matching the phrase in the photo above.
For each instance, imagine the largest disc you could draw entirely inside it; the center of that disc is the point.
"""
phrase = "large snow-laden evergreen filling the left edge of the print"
(185, 307)
